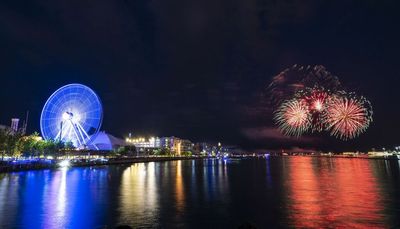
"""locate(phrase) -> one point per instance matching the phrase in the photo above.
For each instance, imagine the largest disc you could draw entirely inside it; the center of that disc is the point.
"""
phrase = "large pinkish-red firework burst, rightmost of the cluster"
(347, 116)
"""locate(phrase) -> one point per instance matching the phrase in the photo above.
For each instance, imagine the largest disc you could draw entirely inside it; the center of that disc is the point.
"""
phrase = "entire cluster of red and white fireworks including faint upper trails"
(312, 99)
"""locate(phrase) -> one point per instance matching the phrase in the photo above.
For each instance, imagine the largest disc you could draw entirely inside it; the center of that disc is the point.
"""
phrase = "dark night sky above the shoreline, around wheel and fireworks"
(196, 69)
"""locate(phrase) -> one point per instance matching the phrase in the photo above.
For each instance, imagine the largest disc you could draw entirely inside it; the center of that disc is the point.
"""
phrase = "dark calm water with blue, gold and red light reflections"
(279, 192)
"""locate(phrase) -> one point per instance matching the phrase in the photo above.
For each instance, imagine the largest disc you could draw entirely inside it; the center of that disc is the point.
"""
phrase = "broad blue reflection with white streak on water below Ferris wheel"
(53, 199)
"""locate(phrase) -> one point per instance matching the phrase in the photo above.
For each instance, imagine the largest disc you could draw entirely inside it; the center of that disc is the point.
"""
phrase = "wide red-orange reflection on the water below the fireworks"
(339, 193)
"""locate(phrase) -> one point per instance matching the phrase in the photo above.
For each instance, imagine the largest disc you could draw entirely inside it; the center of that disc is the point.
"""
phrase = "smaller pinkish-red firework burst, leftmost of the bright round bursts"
(293, 117)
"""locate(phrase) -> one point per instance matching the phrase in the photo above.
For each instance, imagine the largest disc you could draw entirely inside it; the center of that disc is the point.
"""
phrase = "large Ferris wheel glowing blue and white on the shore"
(73, 114)
